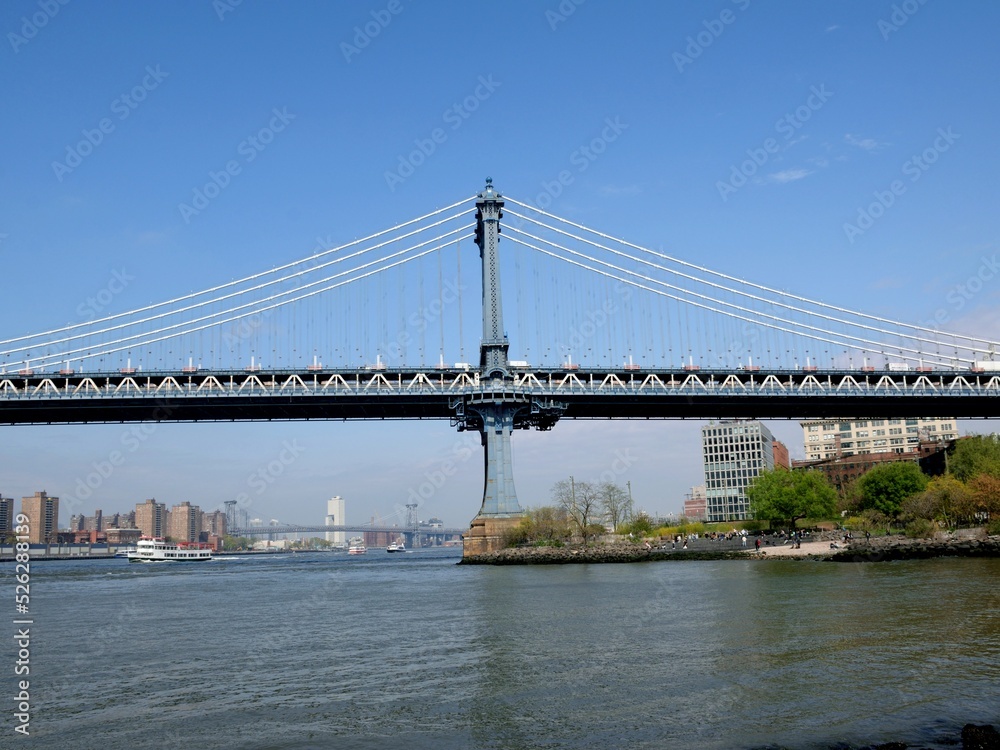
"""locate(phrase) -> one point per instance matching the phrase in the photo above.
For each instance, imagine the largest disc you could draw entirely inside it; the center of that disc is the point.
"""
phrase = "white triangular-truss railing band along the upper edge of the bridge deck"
(532, 383)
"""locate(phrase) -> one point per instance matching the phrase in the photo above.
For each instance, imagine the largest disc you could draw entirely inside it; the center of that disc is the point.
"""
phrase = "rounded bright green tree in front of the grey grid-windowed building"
(790, 495)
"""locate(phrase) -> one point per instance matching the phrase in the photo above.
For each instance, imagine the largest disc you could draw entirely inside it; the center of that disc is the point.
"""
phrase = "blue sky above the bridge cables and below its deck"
(749, 137)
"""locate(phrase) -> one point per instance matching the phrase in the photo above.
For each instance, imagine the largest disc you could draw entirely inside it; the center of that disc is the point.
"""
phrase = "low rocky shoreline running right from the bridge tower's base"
(877, 549)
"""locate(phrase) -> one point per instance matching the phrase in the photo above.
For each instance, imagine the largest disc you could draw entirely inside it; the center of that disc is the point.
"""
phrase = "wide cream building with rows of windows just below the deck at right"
(835, 438)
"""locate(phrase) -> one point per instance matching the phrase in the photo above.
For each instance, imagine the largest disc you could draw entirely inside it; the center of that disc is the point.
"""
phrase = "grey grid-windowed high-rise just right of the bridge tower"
(733, 453)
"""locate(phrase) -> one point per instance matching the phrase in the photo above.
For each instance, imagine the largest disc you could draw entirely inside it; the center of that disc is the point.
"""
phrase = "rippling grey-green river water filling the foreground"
(322, 650)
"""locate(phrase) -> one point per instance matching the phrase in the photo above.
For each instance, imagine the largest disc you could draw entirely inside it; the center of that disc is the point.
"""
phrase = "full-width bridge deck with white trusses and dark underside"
(426, 393)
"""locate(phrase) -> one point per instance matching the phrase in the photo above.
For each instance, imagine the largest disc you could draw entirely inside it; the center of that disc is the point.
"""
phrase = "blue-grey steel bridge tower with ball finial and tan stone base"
(498, 408)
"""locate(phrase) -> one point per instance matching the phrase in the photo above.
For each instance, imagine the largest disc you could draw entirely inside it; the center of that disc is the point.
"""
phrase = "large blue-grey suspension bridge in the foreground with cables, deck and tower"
(603, 328)
